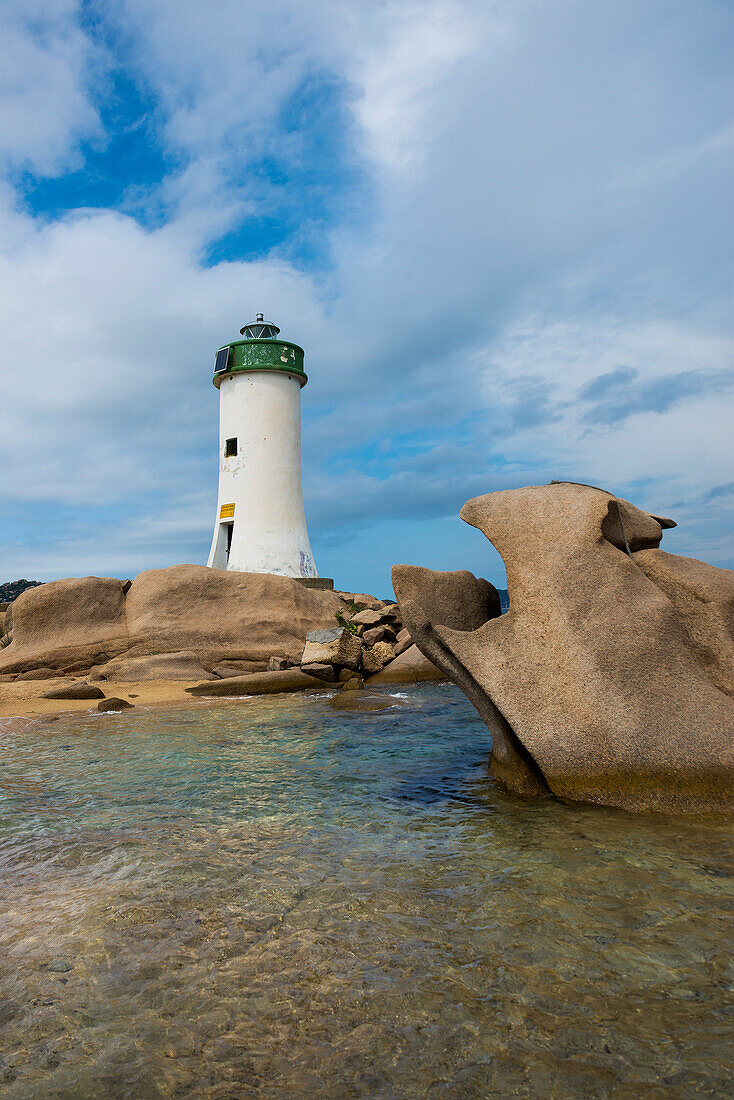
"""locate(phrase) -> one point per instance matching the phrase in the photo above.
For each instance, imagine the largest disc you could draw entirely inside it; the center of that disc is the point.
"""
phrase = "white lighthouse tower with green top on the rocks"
(261, 524)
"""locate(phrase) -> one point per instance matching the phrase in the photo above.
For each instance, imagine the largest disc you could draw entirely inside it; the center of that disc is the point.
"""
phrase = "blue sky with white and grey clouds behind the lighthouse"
(501, 229)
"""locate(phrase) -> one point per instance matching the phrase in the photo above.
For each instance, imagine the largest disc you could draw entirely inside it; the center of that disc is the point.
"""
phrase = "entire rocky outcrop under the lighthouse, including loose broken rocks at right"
(191, 623)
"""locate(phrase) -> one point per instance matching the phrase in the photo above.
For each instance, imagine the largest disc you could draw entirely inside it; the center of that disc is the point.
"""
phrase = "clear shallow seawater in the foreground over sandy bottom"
(275, 899)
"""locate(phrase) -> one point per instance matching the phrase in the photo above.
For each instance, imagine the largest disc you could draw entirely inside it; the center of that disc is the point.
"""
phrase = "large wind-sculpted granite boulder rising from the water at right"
(610, 679)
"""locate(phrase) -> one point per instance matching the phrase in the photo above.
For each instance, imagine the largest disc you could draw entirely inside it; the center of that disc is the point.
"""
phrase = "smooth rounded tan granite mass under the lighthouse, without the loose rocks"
(72, 625)
